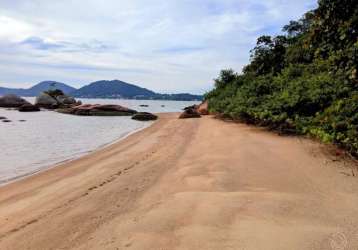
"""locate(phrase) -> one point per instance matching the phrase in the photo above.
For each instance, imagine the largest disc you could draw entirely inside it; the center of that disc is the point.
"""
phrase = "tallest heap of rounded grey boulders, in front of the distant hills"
(54, 99)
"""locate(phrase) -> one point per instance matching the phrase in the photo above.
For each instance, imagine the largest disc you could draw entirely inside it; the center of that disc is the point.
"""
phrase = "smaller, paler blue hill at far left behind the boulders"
(38, 88)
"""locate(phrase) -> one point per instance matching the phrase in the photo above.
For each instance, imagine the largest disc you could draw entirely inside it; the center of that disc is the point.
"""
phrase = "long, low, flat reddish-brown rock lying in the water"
(98, 110)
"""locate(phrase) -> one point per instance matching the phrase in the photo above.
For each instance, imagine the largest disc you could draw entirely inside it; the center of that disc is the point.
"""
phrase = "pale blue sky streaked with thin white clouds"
(168, 46)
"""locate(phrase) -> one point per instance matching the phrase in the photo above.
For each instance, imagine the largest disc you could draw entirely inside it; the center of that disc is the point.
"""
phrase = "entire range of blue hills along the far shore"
(102, 89)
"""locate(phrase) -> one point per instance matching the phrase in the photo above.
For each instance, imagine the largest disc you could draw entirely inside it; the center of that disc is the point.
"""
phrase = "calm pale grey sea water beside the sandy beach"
(46, 138)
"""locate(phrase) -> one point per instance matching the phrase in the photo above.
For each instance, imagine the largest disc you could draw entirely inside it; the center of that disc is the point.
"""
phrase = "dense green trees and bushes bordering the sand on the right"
(302, 82)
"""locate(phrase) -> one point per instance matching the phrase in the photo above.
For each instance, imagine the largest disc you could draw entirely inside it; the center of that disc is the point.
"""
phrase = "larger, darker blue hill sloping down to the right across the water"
(120, 89)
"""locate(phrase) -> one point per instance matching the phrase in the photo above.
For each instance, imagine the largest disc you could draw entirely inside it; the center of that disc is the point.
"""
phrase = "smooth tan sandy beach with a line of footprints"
(188, 184)
